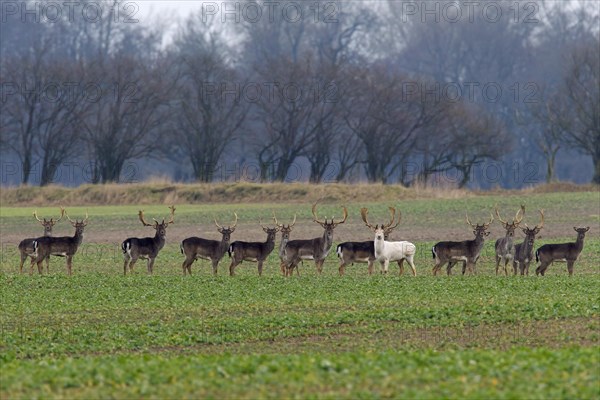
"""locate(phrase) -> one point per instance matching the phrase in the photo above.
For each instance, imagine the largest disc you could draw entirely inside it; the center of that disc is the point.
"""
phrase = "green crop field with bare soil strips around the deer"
(99, 334)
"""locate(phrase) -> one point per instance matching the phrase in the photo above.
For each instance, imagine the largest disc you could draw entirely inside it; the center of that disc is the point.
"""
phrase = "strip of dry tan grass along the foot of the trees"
(161, 191)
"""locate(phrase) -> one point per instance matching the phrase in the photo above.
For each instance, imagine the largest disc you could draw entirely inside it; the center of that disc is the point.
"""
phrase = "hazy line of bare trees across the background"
(371, 88)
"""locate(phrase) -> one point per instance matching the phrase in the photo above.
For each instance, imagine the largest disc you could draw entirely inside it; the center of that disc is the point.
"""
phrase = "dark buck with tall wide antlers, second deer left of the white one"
(315, 249)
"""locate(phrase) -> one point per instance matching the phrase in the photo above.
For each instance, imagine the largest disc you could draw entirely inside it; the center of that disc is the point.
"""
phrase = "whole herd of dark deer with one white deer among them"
(293, 252)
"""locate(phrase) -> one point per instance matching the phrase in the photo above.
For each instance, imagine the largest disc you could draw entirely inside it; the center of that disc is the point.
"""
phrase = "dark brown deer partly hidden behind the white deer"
(364, 252)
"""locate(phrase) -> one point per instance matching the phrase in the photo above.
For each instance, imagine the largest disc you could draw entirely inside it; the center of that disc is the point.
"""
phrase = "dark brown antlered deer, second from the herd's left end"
(63, 246)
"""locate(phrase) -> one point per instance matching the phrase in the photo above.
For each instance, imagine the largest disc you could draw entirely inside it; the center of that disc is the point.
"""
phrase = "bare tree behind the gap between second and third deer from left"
(128, 118)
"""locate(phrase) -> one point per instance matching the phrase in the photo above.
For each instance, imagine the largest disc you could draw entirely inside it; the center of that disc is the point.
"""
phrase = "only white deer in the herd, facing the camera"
(385, 251)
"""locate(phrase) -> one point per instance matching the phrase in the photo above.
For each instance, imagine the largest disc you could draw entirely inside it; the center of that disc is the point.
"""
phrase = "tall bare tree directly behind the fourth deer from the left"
(210, 97)
